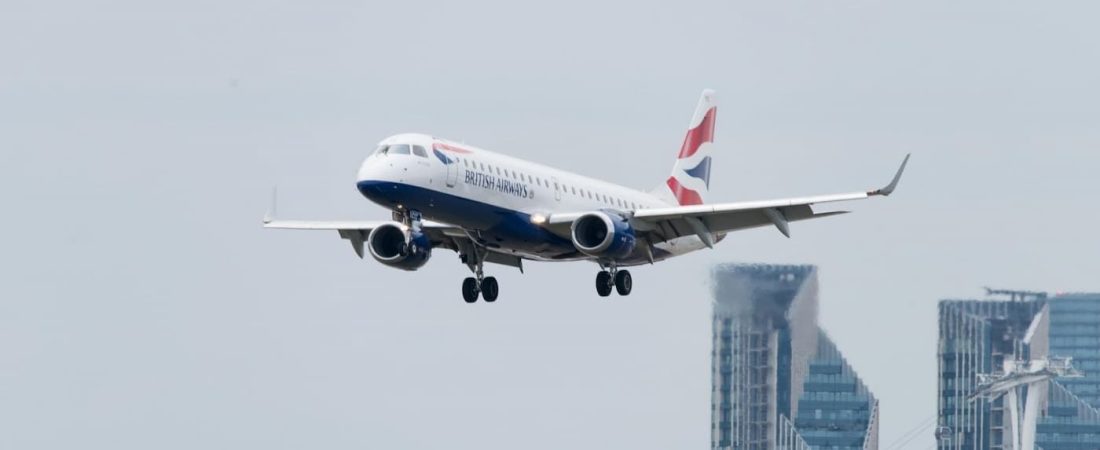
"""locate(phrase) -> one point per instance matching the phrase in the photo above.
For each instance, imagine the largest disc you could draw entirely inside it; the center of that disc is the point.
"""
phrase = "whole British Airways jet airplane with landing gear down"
(492, 208)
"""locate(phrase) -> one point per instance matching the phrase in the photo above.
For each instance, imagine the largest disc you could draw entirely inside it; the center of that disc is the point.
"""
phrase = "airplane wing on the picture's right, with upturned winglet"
(663, 225)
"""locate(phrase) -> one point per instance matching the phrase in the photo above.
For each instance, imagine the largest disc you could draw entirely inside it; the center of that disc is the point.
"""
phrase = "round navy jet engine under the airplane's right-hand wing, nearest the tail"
(603, 235)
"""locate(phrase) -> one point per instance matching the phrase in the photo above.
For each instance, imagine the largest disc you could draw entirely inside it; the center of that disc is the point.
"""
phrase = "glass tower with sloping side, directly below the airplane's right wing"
(778, 381)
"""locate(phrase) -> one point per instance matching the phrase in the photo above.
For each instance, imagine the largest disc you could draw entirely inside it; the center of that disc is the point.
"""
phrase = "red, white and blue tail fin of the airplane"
(691, 175)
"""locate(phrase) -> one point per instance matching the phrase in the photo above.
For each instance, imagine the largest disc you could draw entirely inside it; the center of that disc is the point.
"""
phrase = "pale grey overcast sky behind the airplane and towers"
(142, 305)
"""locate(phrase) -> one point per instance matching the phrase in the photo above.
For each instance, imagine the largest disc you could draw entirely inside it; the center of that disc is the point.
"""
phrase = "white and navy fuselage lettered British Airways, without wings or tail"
(502, 202)
